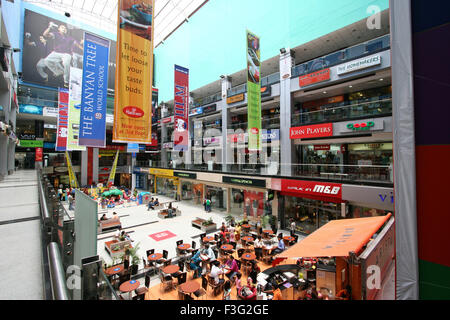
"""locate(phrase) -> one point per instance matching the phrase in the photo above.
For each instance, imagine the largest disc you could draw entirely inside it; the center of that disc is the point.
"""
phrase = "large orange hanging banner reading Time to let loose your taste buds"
(134, 72)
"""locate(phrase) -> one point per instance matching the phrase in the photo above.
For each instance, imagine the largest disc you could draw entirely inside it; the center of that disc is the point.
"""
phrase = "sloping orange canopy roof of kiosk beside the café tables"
(336, 239)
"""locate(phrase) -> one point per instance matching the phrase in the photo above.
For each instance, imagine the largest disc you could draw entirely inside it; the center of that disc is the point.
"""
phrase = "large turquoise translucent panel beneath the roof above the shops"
(213, 43)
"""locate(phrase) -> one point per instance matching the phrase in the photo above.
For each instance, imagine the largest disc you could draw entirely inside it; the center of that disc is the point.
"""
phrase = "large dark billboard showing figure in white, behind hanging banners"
(51, 47)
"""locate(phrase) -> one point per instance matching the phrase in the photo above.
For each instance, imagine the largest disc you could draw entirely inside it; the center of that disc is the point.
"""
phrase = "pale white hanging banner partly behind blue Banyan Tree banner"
(76, 77)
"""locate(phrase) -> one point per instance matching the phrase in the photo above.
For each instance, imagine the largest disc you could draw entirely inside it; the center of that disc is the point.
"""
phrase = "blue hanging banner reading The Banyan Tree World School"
(94, 91)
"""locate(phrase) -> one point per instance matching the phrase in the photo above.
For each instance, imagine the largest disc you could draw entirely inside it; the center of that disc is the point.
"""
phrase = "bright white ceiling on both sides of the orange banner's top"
(102, 14)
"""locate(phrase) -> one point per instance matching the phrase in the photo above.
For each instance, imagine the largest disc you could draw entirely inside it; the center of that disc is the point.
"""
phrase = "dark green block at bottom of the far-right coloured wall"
(434, 281)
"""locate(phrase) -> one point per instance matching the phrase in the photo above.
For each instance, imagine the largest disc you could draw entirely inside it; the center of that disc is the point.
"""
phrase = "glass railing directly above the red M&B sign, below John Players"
(356, 173)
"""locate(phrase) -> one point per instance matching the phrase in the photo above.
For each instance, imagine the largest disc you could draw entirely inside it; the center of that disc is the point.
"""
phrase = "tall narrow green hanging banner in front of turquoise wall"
(253, 92)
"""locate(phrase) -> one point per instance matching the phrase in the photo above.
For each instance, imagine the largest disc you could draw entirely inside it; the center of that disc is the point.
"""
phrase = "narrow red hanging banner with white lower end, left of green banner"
(181, 101)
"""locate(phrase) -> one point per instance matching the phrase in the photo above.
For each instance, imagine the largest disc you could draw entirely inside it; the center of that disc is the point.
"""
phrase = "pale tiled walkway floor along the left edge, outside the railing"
(20, 238)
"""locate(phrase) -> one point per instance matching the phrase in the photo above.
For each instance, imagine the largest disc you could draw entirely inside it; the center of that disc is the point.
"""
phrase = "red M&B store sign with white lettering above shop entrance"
(310, 188)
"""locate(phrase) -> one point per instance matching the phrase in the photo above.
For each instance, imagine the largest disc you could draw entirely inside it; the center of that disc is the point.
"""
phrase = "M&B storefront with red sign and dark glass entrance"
(310, 204)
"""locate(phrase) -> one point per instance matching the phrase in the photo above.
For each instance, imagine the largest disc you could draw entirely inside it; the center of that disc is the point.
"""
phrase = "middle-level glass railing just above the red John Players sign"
(348, 112)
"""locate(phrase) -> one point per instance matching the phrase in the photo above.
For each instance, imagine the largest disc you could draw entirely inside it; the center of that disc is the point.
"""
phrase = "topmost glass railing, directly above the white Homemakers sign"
(342, 56)
